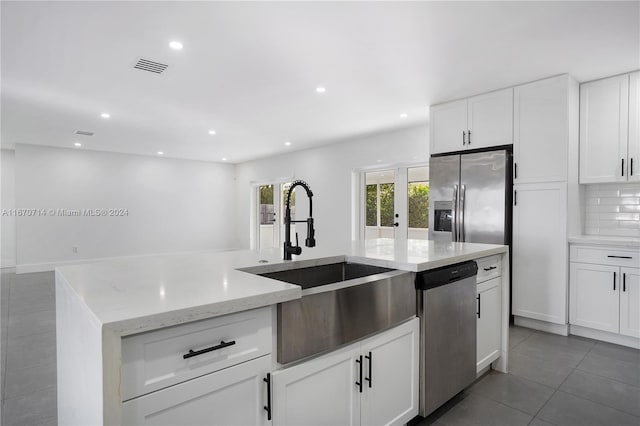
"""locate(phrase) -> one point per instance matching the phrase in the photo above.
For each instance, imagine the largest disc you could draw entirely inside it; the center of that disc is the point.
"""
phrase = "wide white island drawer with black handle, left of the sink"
(154, 360)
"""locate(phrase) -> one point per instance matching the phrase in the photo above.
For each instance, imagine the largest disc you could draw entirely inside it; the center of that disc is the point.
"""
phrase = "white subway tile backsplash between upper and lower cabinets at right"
(612, 209)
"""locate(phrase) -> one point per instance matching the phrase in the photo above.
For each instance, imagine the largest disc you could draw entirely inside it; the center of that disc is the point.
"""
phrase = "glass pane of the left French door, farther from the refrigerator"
(379, 209)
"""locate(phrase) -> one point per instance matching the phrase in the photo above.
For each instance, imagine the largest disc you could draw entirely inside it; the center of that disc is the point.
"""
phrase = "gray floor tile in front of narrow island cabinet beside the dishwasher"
(514, 392)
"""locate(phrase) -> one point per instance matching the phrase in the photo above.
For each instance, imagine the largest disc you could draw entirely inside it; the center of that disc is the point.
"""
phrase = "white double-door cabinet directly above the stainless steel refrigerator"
(477, 122)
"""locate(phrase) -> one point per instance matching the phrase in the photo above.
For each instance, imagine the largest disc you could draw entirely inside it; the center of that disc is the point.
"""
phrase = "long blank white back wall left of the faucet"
(173, 205)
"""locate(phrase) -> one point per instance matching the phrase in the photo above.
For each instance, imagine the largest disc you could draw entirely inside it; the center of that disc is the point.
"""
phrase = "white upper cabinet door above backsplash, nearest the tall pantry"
(604, 115)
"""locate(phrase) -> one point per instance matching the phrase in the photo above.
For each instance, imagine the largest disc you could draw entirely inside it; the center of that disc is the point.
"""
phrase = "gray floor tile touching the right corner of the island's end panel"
(539, 370)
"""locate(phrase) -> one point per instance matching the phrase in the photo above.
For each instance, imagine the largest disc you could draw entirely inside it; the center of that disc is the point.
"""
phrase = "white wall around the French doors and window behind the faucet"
(328, 170)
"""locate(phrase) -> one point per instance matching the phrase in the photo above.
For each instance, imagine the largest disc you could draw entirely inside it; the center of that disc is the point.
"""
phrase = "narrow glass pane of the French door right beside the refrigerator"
(418, 202)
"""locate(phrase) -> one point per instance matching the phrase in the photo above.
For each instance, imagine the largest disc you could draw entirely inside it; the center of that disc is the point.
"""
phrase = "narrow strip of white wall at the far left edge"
(8, 201)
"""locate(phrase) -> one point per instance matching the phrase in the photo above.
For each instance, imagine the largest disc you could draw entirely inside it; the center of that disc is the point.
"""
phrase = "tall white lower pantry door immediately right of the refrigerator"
(540, 260)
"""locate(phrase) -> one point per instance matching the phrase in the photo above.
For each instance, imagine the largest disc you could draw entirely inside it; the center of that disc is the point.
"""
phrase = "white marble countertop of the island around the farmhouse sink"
(136, 294)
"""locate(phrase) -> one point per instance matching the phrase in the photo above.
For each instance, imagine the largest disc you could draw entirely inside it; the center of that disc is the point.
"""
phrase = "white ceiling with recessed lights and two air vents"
(249, 69)
